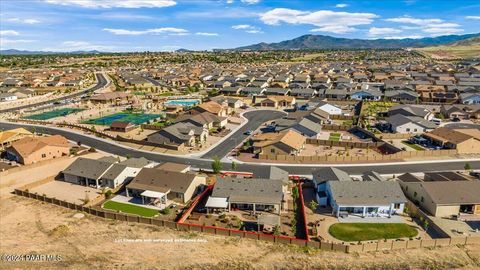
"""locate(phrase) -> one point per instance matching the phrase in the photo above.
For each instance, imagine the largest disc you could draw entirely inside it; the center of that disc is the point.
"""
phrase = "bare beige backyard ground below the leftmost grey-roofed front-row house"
(67, 192)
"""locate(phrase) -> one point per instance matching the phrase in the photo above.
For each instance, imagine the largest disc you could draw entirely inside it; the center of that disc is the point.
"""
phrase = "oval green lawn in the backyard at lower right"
(371, 231)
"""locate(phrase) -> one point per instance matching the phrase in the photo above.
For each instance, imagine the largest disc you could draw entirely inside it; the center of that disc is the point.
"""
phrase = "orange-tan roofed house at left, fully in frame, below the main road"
(34, 149)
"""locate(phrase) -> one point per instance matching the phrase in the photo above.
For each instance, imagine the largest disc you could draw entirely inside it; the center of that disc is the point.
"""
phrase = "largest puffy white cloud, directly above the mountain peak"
(325, 20)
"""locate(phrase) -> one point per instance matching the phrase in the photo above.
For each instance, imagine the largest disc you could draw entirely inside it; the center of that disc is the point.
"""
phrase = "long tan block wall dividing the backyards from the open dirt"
(323, 245)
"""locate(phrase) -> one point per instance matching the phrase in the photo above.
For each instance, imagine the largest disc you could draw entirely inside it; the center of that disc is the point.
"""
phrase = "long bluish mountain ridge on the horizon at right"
(316, 42)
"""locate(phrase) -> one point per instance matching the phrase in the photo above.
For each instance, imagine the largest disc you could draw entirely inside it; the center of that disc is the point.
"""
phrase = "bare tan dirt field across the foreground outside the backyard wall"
(29, 226)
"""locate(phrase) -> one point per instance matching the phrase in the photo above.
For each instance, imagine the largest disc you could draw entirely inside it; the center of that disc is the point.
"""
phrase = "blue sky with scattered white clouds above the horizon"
(166, 25)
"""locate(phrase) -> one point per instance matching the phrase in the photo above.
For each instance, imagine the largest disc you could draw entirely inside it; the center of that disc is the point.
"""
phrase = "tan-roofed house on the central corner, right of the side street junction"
(284, 143)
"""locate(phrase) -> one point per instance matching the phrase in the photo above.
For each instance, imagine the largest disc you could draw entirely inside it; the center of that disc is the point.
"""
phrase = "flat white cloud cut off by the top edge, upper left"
(114, 3)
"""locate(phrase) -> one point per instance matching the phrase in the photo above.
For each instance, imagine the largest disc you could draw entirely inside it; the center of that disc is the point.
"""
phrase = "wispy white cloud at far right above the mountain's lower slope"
(433, 27)
